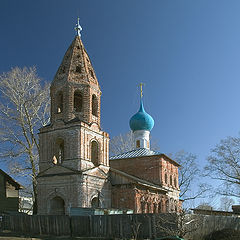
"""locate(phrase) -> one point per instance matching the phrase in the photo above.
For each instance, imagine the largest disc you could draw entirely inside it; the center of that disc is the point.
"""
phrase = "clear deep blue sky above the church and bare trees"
(186, 52)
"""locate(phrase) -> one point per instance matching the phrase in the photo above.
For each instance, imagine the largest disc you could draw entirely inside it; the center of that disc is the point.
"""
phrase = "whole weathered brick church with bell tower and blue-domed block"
(75, 170)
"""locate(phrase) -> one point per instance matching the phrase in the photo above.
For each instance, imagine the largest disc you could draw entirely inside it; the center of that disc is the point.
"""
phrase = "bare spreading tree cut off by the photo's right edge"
(224, 165)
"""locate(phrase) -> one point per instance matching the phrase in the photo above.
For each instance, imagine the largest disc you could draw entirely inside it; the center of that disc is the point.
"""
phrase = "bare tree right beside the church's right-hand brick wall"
(189, 176)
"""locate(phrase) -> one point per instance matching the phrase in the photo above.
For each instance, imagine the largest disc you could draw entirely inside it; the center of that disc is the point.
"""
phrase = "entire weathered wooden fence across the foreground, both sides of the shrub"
(111, 226)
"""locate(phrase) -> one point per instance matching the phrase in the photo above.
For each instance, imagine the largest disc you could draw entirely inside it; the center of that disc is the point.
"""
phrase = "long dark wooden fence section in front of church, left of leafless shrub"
(108, 226)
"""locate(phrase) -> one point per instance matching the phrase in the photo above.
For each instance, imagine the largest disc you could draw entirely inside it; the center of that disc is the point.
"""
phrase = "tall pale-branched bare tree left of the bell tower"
(24, 108)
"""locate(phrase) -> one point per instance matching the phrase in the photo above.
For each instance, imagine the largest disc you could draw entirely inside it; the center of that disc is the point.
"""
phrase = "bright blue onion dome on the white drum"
(141, 120)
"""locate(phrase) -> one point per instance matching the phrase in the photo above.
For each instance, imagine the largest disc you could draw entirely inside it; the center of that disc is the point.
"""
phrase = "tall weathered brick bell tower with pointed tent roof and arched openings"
(74, 151)
